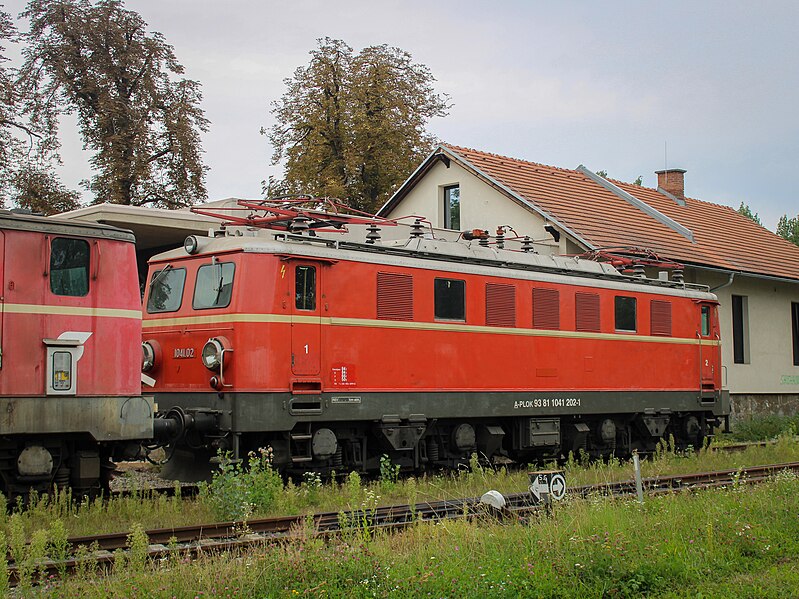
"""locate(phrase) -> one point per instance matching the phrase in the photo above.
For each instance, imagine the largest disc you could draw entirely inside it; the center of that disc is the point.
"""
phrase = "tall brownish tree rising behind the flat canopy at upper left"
(97, 60)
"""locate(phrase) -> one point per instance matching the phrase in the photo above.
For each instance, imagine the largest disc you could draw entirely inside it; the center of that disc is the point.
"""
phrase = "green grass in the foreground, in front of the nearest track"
(738, 542)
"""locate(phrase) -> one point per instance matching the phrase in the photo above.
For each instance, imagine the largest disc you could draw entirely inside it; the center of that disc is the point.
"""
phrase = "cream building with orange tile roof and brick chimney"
(754, 273)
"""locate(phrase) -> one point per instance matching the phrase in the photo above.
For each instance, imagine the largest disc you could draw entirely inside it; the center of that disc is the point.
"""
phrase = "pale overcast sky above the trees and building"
(626, 87)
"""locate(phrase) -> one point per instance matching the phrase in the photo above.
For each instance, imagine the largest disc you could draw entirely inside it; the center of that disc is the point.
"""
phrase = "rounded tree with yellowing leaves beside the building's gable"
(353, 125)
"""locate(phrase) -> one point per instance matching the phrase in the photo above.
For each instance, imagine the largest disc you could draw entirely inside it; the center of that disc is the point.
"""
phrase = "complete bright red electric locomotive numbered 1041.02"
(335, 352)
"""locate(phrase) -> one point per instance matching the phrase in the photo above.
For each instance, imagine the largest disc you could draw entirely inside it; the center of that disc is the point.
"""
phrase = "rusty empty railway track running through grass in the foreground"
(192, 541)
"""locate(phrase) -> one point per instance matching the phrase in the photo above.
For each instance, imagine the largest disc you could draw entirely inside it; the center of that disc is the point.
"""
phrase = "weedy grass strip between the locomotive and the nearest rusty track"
(254, 494)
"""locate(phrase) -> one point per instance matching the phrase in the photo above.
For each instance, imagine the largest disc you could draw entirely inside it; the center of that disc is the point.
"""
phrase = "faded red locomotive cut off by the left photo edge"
(70, 323)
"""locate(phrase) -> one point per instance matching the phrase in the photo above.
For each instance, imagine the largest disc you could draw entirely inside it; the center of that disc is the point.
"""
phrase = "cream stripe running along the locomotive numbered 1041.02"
(417, 326)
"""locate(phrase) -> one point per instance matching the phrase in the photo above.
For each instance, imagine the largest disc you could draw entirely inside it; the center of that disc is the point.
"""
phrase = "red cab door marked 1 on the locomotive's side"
(306, 319)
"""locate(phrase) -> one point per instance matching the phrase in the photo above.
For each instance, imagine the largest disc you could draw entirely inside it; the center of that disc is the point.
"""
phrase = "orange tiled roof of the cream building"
(722, 237)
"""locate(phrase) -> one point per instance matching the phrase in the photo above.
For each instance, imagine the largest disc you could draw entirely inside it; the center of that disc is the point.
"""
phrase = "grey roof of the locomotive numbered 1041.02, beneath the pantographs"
(449, 256)
